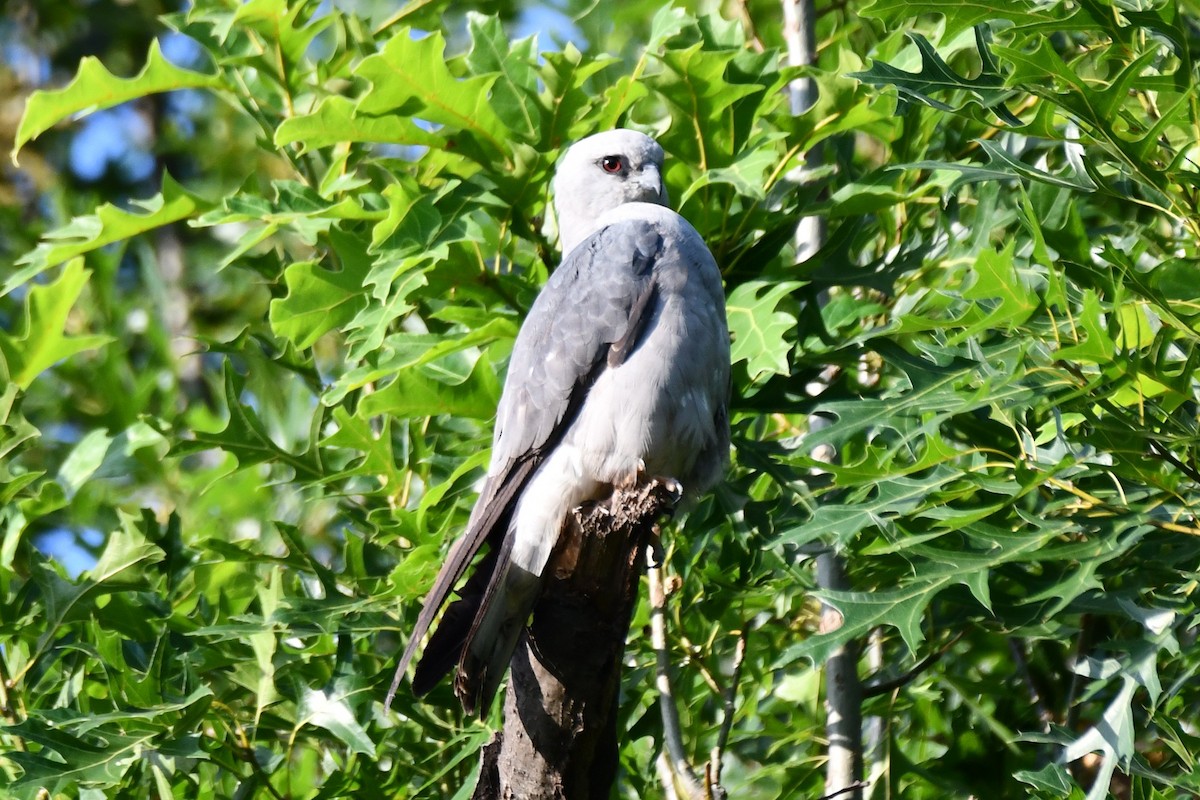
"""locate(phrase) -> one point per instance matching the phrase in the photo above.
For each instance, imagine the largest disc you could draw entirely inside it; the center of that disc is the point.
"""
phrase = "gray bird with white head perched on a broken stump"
(622, 370)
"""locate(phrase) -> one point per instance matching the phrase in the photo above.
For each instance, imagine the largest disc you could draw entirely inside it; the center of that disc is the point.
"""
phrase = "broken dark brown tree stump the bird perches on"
(560, 737)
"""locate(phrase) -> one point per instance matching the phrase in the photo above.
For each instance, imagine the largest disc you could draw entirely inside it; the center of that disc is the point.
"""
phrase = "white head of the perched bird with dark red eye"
(602, 172)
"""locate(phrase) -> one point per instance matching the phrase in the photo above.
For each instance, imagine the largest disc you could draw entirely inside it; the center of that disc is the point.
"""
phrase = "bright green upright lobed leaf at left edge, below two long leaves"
(41, 342)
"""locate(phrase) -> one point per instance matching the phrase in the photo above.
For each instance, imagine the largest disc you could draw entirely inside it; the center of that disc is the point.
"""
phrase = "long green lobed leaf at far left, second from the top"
(107, 226)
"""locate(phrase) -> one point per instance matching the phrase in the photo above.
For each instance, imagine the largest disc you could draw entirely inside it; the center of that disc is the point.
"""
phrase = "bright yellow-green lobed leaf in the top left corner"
(95, 88)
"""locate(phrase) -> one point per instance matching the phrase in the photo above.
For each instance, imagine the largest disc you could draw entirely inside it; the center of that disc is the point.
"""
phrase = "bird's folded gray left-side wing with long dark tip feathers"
(587, 318)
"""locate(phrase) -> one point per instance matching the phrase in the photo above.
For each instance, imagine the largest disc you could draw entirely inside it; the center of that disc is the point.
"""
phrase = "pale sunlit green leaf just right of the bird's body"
(760, 329)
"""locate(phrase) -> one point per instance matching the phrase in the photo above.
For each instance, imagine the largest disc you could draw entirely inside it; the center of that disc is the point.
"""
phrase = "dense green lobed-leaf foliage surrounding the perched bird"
(261, 401)
